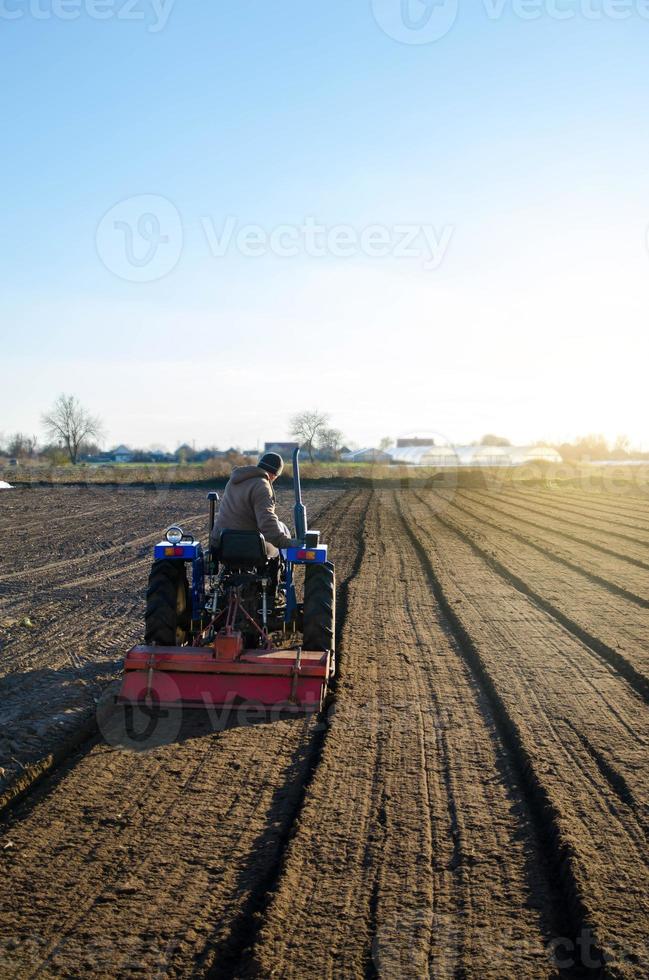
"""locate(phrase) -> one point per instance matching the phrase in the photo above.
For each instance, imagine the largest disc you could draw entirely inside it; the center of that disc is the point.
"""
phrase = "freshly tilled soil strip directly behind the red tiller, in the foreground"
(175, 842)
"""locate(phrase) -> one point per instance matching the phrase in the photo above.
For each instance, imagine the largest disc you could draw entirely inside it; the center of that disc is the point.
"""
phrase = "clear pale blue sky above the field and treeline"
(520, 145)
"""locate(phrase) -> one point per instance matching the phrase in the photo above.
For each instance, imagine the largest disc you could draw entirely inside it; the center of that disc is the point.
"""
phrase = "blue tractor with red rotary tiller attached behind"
(222, 627)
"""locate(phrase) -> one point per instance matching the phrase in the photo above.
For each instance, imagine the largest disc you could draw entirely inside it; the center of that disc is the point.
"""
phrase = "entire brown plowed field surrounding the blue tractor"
(473, 803)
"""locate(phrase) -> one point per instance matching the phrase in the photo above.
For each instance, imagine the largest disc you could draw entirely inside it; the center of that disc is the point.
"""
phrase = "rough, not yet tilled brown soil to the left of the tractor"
(73, 571)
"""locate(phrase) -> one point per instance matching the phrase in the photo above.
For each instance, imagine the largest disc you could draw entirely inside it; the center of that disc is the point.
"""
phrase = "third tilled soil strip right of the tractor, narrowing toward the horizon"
(566, 604)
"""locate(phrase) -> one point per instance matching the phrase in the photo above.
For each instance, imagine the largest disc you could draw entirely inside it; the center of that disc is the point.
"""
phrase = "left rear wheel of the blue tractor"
(168, 616)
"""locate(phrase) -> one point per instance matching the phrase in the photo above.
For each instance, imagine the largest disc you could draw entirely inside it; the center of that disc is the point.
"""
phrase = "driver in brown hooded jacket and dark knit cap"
(248, 504)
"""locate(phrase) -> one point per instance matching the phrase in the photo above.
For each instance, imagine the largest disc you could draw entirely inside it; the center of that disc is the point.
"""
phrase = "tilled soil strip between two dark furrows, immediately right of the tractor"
(415, 854)
